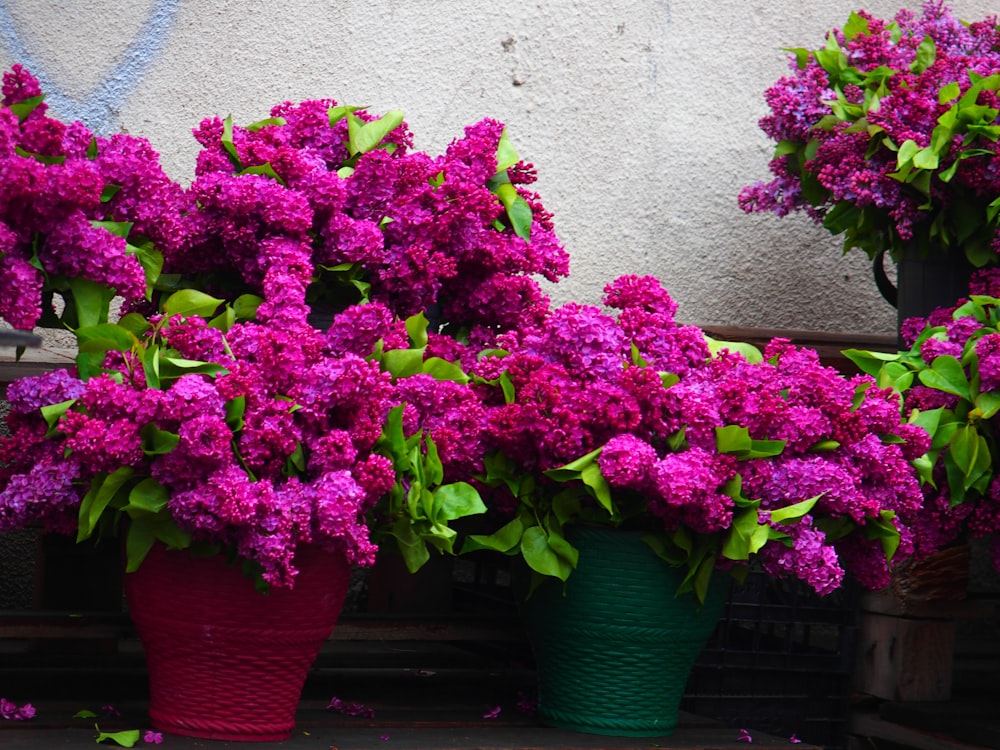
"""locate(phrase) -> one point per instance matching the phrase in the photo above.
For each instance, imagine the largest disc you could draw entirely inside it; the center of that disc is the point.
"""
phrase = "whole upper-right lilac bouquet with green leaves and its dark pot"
(887, 135)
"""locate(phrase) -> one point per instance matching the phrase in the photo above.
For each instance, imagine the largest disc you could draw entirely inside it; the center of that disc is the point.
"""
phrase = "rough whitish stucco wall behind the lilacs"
(641, 116)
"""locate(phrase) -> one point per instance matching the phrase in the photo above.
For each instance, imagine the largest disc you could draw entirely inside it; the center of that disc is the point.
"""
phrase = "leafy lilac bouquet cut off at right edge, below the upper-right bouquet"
(949, 379)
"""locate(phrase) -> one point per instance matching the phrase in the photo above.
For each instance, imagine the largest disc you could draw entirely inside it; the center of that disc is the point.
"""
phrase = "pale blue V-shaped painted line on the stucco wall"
(99, 110)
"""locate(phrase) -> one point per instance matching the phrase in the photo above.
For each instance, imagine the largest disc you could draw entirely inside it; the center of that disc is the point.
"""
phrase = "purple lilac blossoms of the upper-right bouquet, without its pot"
(849, 166)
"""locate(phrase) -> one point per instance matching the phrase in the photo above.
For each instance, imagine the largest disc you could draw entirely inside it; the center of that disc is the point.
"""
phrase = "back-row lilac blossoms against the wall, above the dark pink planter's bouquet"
(419, 233)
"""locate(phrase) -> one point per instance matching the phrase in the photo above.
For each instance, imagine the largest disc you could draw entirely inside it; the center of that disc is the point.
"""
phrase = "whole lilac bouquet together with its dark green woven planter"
(635, 464)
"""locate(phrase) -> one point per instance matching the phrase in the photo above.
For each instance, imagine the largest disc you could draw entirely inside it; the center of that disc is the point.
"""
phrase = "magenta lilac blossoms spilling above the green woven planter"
(644, 392)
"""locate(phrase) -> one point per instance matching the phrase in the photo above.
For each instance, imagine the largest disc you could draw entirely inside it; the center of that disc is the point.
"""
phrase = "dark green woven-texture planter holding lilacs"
(614, 654)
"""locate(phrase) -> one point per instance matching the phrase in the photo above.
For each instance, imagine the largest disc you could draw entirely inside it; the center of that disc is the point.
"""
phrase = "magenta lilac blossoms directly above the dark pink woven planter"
(227, 478)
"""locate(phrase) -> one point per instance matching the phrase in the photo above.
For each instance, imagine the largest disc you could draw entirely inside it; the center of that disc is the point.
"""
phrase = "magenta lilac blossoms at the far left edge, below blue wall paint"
(61, 187)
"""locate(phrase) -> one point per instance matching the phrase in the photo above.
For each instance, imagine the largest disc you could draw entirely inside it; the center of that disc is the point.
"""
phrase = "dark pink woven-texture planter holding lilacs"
(225, 661)
